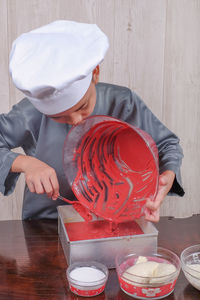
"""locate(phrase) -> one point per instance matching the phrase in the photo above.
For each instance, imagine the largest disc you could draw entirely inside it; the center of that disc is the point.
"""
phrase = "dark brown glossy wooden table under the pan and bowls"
(33, 266)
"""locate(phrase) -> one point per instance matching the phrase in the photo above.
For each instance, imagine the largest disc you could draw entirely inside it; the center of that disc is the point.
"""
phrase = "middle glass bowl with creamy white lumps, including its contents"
(149, 276)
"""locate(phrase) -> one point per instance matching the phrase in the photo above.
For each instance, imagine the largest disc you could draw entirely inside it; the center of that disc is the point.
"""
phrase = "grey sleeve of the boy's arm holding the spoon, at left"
(18, 128)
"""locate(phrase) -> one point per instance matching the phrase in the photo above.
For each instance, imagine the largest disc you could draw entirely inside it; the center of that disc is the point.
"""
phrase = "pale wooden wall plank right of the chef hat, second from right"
(139, 37)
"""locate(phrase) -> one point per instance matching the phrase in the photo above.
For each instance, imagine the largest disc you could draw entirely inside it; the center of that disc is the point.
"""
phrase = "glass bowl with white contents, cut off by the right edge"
(190, 261)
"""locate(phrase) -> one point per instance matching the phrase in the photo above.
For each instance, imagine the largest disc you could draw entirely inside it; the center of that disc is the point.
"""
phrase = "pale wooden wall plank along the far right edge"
(181, 108)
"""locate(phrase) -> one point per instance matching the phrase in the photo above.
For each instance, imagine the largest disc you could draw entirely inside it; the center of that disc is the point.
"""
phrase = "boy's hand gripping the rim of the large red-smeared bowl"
(152, 209)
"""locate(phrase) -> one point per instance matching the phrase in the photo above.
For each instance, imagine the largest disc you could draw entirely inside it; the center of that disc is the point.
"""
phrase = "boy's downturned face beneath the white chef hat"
(83, 108)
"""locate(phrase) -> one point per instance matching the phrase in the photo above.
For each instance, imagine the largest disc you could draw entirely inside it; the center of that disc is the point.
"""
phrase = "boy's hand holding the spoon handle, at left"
(40, 177)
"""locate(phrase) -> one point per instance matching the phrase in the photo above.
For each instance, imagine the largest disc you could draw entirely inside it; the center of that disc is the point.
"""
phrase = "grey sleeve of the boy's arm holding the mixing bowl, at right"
(169, 149)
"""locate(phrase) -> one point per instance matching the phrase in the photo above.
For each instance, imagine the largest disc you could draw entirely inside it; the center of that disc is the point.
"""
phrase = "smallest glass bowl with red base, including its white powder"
(87, 279)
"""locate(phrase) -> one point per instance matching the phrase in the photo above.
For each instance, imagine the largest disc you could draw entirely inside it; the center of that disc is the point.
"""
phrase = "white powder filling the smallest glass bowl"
(87, 274)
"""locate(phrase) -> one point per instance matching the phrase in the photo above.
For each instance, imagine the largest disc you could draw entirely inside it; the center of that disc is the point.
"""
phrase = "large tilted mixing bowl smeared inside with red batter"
(115, 167)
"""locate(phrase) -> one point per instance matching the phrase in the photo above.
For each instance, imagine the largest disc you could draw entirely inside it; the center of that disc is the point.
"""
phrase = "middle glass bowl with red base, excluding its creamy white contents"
(148, 287)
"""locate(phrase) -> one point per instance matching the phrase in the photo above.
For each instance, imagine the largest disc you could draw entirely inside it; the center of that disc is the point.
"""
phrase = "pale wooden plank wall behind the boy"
(154, 49)
